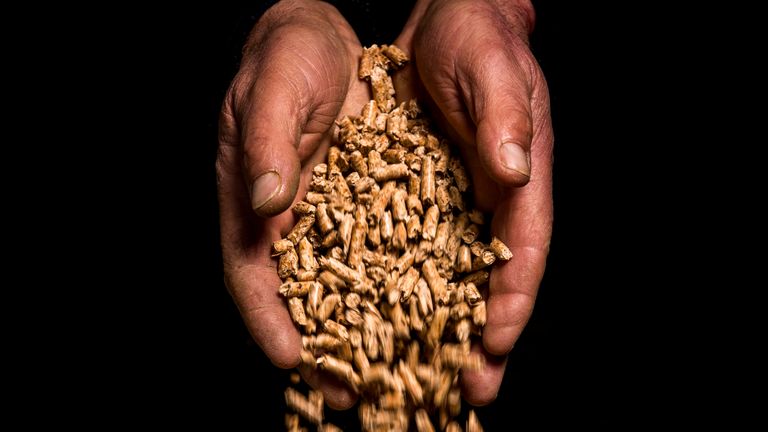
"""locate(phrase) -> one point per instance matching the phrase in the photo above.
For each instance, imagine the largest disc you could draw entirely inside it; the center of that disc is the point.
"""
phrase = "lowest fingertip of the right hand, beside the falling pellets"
(481, 387)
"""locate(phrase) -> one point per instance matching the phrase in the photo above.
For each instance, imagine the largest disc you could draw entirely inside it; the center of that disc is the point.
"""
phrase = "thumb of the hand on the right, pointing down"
(500, 99)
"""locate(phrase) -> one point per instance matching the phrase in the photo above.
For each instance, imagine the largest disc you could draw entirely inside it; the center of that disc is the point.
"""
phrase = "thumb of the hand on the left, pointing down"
(270, 134)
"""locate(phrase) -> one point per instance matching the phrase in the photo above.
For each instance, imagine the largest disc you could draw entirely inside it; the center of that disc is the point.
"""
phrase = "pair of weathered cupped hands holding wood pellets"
(471, 65)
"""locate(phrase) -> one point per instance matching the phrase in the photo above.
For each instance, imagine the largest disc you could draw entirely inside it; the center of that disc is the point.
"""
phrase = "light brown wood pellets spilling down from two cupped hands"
(381, 272)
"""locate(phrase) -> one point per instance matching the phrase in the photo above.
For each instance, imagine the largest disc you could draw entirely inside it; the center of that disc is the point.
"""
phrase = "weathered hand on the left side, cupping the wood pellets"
(298, 74)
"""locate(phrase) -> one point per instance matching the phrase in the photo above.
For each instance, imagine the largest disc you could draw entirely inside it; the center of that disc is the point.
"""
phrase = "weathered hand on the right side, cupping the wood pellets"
(471, 62)
